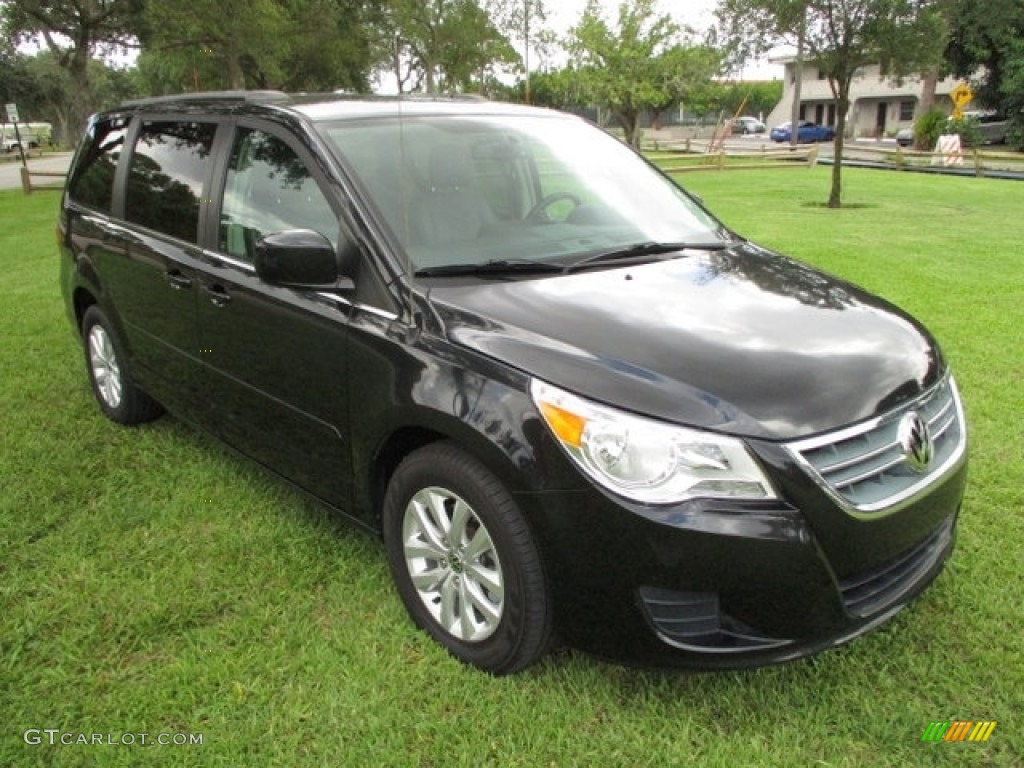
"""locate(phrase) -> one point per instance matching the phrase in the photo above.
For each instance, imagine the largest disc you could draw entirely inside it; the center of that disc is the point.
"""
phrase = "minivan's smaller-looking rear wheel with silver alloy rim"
(118, 396)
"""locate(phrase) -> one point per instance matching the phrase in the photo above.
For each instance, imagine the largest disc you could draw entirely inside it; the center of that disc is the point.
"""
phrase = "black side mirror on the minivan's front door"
(298, 259)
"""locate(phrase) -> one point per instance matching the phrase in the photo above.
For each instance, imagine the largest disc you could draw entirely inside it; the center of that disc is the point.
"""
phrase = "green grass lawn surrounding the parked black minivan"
(152, 583)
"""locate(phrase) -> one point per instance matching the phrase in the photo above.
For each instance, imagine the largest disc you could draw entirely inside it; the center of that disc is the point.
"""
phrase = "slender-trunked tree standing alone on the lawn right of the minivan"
(840, 37)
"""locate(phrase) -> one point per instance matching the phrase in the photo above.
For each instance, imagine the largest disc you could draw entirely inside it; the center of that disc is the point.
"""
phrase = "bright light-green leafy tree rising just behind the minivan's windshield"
(642, 64)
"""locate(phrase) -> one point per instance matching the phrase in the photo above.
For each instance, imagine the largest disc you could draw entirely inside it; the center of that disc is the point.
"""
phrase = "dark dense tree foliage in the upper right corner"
(986, 47)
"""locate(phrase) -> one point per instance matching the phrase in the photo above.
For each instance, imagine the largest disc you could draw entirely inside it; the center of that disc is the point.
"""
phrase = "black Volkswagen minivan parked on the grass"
(571, 401)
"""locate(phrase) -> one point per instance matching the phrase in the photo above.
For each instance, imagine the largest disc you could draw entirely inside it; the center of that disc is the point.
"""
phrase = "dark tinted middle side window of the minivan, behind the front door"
(166, 177)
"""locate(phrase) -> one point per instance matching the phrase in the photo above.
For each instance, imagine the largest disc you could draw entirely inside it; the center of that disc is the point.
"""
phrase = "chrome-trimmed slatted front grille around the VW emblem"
(866, 467)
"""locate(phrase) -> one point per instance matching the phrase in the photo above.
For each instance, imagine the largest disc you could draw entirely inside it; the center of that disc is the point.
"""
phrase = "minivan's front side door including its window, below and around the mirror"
(275, 360)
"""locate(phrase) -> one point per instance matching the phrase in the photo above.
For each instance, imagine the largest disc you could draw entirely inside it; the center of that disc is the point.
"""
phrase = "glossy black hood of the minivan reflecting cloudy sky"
(742, 342)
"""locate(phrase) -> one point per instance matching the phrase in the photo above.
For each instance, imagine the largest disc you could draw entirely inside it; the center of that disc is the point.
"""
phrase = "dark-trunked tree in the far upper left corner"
(74, 31)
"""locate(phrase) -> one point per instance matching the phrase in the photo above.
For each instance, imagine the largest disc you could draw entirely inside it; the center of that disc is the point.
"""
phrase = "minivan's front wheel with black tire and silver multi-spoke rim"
(464, 561)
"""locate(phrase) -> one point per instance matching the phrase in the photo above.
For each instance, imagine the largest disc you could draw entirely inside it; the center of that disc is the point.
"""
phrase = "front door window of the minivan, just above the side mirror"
(270, 190)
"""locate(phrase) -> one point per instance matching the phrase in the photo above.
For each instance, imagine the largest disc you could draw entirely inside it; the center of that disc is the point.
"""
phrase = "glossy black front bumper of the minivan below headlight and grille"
(721, 585)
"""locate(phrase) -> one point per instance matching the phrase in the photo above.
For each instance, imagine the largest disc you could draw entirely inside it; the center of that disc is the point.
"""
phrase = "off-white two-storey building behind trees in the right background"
(879, 105)
